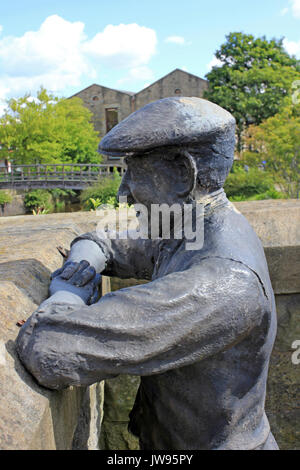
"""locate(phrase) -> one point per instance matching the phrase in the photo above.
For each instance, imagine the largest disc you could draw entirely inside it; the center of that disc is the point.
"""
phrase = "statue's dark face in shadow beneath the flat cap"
(151, 179)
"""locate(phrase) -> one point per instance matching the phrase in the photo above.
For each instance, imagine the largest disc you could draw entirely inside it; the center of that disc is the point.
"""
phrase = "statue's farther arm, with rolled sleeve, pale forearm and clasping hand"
(123, 258)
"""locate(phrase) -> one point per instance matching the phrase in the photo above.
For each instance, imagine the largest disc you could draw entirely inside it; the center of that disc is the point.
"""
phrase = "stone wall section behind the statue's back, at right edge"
(278, 225)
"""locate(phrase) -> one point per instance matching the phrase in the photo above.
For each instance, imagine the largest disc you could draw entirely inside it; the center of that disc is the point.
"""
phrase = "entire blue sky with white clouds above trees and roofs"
(67, 45)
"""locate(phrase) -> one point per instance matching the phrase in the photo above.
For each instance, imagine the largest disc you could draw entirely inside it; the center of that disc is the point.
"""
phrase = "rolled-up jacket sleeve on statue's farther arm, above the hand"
(126, 258)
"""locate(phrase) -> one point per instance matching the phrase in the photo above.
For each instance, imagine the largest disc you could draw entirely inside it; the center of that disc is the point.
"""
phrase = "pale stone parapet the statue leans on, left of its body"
(32, 417)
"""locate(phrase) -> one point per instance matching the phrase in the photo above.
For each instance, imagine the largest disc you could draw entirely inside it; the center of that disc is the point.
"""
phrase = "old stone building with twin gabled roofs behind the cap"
(109, 106)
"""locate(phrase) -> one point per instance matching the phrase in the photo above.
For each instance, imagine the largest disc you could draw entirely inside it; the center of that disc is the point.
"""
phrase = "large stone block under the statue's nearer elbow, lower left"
(32, 417)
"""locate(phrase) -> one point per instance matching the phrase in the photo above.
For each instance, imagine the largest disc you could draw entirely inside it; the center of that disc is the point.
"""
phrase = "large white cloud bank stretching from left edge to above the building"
(59, 54)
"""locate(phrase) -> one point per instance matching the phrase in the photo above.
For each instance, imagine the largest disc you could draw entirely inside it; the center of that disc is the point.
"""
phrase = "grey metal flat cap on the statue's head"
(167, 122)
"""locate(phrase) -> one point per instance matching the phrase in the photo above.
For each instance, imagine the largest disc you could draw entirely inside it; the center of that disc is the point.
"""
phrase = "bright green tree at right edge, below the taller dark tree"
(275, 145)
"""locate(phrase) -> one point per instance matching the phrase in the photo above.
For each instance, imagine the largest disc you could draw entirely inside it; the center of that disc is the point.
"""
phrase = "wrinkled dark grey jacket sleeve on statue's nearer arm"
(171, 322)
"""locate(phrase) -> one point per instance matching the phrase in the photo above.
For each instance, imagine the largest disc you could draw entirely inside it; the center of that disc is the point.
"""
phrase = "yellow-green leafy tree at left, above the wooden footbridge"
(48, 130)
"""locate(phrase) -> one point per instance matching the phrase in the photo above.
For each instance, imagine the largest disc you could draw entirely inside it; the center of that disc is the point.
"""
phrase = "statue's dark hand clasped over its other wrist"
(79, 279)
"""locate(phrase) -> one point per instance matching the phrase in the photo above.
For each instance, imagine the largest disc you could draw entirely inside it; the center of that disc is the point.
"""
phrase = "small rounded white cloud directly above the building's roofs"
(124, 45)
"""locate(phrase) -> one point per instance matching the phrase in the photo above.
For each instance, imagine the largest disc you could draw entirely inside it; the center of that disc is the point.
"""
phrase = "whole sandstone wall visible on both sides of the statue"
(35, 418)
